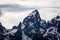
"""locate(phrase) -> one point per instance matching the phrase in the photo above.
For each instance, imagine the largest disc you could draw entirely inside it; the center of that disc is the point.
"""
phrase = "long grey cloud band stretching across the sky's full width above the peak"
(16, 7)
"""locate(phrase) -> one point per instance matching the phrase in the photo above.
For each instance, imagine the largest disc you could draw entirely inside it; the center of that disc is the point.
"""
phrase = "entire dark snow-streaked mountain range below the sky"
(33, 27)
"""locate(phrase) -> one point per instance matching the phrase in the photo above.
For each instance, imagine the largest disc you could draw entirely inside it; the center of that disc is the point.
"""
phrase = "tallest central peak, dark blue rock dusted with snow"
(32, 24)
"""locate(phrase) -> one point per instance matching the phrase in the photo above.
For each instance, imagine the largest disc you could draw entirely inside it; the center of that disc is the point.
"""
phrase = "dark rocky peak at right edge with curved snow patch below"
(53, 29)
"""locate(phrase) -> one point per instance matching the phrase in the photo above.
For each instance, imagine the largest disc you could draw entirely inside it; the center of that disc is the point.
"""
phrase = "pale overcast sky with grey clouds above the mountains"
(12, 14)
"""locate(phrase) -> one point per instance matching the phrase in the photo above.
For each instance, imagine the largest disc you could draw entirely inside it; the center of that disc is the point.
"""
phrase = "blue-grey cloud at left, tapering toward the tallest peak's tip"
(14, 7)
